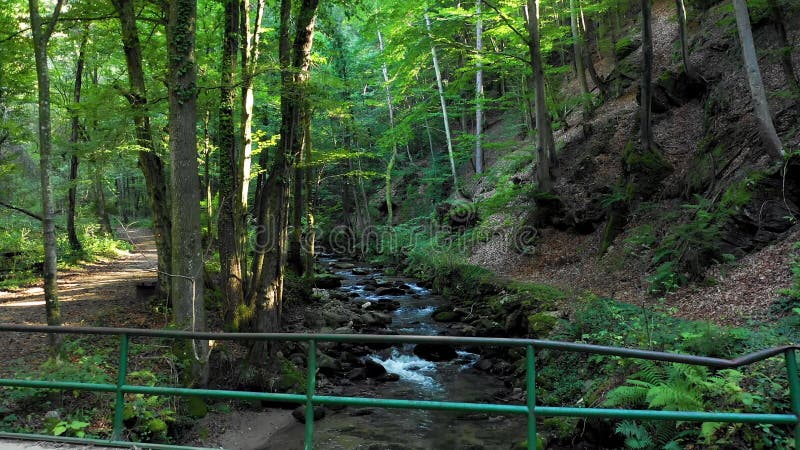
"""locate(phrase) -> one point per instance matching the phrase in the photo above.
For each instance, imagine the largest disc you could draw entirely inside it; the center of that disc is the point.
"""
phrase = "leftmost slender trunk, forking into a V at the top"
(41, 37)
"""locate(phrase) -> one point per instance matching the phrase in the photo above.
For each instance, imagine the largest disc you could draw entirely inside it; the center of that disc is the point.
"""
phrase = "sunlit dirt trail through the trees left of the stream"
(102, 293)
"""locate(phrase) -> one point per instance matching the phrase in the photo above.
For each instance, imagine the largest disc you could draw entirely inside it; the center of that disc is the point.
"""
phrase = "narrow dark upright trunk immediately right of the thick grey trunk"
(230, 192)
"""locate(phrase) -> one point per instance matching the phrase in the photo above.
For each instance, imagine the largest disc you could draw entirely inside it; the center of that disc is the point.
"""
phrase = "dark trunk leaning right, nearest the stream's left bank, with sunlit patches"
(272, 236)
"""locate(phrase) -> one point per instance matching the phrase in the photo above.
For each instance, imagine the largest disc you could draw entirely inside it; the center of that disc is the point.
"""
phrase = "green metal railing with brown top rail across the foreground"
(310, 399)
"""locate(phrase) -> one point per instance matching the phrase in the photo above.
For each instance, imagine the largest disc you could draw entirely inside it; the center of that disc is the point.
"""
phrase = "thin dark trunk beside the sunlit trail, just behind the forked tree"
(74, 138)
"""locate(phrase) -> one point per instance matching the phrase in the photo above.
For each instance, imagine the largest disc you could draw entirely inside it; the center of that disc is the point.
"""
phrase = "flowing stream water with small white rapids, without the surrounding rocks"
(378, 428)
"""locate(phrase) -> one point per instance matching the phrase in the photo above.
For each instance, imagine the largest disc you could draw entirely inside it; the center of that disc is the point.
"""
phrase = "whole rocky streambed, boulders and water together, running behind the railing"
(356, 298)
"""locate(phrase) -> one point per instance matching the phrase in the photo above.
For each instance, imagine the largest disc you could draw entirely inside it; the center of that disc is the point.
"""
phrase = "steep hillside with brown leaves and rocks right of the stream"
(724, 200)
